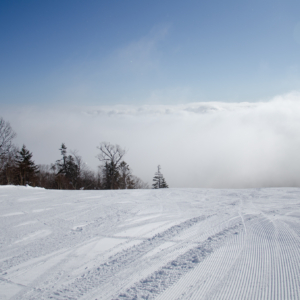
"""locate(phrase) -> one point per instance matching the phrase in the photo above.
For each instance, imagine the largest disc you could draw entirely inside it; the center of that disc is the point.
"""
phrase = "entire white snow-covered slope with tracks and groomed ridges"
(150, 244)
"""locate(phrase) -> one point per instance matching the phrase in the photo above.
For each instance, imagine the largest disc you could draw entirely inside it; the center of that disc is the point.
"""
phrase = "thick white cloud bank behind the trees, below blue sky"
(198, 144)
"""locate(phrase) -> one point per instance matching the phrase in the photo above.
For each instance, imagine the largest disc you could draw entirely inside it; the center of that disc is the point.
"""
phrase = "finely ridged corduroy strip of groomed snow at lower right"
(269, 267)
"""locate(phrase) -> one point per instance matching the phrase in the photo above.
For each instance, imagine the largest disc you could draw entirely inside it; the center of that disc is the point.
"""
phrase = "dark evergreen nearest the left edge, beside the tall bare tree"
(25, 167)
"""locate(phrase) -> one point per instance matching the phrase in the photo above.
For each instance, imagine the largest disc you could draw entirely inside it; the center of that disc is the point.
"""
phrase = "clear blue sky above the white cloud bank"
(144, 52)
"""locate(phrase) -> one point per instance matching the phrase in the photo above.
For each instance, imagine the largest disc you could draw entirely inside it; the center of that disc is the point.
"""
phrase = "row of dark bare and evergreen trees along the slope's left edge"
(69, 172)
